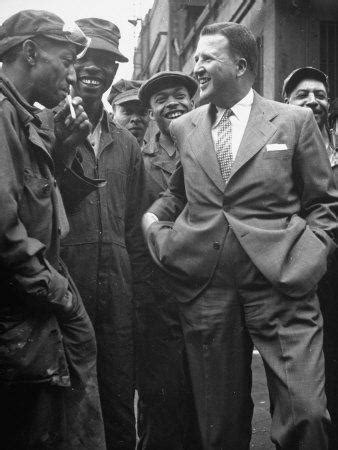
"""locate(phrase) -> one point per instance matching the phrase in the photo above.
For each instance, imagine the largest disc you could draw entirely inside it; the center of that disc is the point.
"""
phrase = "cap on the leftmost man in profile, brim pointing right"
(30, 23)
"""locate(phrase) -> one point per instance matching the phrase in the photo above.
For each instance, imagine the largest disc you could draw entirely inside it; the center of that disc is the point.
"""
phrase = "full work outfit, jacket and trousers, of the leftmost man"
(48, 385)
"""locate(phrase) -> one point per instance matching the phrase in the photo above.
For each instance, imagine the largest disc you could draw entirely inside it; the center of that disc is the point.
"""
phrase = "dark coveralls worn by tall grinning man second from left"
(102, 247)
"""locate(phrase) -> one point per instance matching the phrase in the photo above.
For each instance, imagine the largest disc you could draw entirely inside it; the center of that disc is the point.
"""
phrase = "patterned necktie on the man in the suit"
(223, 145)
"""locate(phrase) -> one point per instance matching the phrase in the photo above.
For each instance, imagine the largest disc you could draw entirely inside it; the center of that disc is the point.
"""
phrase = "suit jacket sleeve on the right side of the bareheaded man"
(314, 178)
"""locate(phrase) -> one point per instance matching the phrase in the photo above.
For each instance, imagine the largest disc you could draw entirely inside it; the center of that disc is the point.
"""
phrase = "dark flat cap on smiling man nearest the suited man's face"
(164, 80)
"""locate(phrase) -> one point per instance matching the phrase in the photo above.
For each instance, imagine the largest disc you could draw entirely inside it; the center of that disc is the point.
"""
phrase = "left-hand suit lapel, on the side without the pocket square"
(202, 145)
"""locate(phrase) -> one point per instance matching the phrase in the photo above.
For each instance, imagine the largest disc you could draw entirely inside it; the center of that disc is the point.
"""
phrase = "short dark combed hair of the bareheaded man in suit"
(242, 42)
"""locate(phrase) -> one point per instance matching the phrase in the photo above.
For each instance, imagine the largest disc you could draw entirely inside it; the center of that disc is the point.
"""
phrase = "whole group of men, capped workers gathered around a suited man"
(150, 249)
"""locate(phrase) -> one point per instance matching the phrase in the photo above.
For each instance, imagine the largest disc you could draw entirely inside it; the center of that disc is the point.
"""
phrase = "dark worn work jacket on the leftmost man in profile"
(32, 288)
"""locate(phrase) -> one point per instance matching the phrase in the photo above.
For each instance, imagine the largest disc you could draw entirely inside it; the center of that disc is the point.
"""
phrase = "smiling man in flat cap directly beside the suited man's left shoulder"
(166, 412)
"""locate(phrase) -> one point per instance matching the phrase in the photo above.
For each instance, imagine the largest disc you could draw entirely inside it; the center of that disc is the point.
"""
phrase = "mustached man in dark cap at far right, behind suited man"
(308, 86)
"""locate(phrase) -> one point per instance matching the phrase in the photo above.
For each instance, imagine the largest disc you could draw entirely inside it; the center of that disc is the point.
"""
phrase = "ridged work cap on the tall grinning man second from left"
(104, 36)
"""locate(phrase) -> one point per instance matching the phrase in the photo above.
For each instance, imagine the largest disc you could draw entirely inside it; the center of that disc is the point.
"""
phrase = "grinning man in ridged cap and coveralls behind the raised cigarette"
(104, 241)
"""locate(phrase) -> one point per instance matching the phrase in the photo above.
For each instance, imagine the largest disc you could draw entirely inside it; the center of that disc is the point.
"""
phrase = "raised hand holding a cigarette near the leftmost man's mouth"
(71, 132)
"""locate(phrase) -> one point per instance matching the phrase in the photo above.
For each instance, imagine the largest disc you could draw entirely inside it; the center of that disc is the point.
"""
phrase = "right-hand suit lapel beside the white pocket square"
(257, 132)
